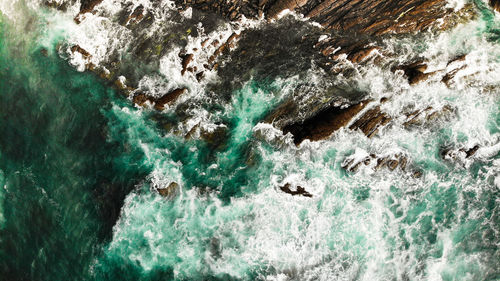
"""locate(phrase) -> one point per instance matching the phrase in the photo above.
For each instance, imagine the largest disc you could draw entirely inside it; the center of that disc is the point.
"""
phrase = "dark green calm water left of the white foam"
(64, 189)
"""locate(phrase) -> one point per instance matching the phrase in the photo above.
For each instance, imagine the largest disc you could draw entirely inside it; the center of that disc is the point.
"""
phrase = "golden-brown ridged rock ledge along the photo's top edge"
(373, 17)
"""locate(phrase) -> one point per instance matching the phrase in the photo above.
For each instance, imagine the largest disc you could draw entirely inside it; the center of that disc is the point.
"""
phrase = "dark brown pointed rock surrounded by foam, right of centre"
(324, 123)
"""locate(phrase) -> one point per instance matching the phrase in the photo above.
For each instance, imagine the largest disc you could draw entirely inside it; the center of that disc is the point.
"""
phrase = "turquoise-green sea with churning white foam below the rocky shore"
(79, 165)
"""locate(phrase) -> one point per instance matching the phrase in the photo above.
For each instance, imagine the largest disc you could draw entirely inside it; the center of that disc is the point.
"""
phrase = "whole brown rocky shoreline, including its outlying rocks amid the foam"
(344, 34)
